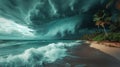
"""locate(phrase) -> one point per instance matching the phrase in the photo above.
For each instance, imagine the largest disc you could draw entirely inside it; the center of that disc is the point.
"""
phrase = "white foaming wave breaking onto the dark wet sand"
(37, 56)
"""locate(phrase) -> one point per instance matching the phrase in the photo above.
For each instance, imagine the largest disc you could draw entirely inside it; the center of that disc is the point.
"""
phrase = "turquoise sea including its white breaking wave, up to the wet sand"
(35, 53)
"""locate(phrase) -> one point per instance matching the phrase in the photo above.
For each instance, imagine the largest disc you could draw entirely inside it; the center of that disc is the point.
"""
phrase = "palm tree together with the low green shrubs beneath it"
(103, 18)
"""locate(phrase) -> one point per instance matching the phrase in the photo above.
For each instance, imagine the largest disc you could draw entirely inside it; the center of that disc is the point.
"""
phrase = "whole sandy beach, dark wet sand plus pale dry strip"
(91, 55)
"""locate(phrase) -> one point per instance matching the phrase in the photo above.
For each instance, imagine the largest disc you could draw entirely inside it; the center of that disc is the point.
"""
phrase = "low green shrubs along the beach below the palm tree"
(114, 37)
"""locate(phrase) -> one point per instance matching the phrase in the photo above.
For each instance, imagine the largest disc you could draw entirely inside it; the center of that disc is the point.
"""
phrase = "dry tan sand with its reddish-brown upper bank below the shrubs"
(110, 48)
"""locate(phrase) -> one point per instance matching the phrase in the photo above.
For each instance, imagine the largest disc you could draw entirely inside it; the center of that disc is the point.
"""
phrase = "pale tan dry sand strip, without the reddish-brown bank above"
(113, 51)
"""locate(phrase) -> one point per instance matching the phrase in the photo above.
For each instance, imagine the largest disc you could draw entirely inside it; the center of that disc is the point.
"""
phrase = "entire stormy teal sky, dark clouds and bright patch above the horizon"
(47, 19)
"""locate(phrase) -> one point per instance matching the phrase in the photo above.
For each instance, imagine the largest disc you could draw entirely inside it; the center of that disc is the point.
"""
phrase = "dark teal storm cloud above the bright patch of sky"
(51, 17)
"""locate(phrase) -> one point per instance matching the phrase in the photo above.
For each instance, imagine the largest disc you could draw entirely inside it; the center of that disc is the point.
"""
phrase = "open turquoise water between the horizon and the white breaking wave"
(16, 47)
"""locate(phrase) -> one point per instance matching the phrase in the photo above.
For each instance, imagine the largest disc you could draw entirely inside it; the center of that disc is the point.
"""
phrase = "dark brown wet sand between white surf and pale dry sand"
(86, 56)
